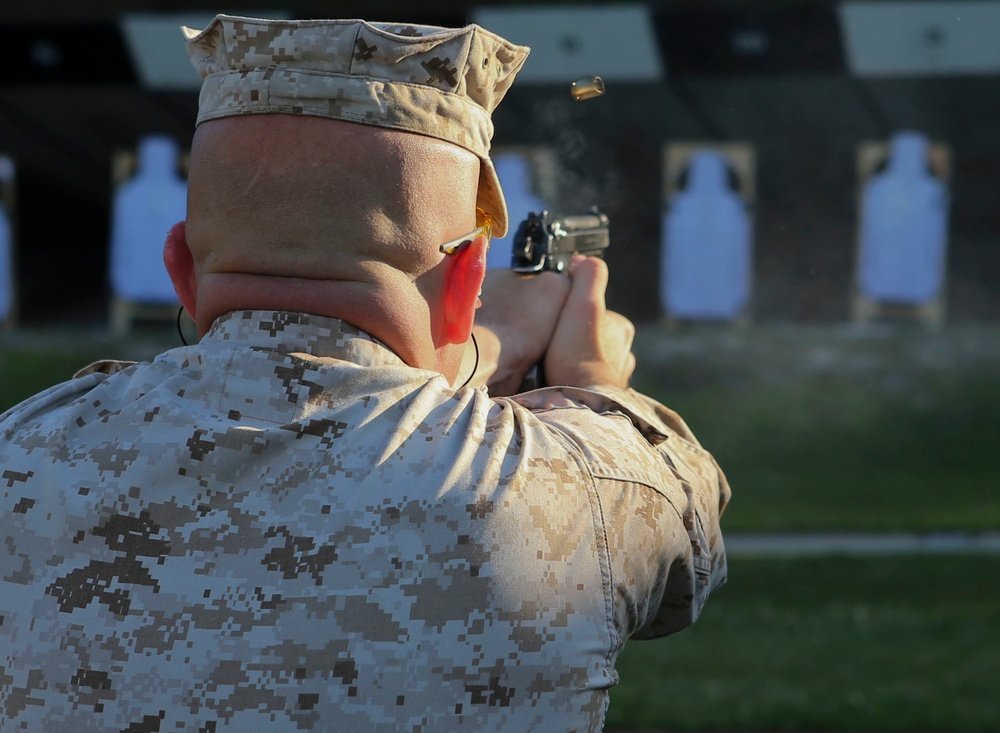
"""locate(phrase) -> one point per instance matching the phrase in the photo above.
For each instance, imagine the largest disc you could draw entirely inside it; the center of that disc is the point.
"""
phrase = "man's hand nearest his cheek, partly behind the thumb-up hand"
(515, 324)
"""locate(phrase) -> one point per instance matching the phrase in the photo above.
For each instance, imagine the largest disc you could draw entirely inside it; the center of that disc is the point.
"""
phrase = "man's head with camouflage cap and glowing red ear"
(330, 160)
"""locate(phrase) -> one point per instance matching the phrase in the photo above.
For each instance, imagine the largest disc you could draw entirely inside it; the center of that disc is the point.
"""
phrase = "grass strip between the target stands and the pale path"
(878, 439)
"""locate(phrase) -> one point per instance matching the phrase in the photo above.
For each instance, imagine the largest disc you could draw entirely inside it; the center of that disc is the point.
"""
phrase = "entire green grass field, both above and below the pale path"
(818, 429)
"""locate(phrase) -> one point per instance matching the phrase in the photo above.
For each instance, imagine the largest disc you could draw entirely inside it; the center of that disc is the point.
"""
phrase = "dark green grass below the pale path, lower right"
(872, 645)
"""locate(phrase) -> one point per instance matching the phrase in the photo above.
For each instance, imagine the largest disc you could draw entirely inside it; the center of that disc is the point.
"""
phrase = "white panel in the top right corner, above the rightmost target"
(921, 38)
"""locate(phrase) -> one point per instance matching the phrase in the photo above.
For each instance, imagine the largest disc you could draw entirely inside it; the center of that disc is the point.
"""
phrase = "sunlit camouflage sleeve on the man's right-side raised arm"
(662, 496)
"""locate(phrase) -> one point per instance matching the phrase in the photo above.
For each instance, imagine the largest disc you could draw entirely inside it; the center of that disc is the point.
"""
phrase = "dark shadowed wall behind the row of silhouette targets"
(70, 96)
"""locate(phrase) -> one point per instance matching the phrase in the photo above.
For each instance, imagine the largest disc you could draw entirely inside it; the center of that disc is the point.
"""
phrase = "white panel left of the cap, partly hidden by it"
(156, 45)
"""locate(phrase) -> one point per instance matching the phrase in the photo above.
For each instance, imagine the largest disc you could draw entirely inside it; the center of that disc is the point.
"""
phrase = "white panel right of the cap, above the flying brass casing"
(616, 42)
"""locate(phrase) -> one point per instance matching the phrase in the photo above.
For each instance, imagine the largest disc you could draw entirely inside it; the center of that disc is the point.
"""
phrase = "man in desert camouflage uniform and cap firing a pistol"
(302, 523)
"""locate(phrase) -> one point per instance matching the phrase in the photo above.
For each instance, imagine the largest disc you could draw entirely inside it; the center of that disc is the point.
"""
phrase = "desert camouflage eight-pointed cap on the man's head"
(440, 82)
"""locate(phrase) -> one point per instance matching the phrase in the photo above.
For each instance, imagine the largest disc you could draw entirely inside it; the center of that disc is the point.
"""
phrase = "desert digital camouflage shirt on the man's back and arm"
(286, 528)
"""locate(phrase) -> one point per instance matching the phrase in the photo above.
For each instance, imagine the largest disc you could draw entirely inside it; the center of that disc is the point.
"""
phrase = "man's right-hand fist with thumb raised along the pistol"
(591, 346)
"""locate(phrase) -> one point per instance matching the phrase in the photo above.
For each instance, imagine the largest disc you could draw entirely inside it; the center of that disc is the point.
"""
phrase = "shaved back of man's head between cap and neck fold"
(309, 197)
